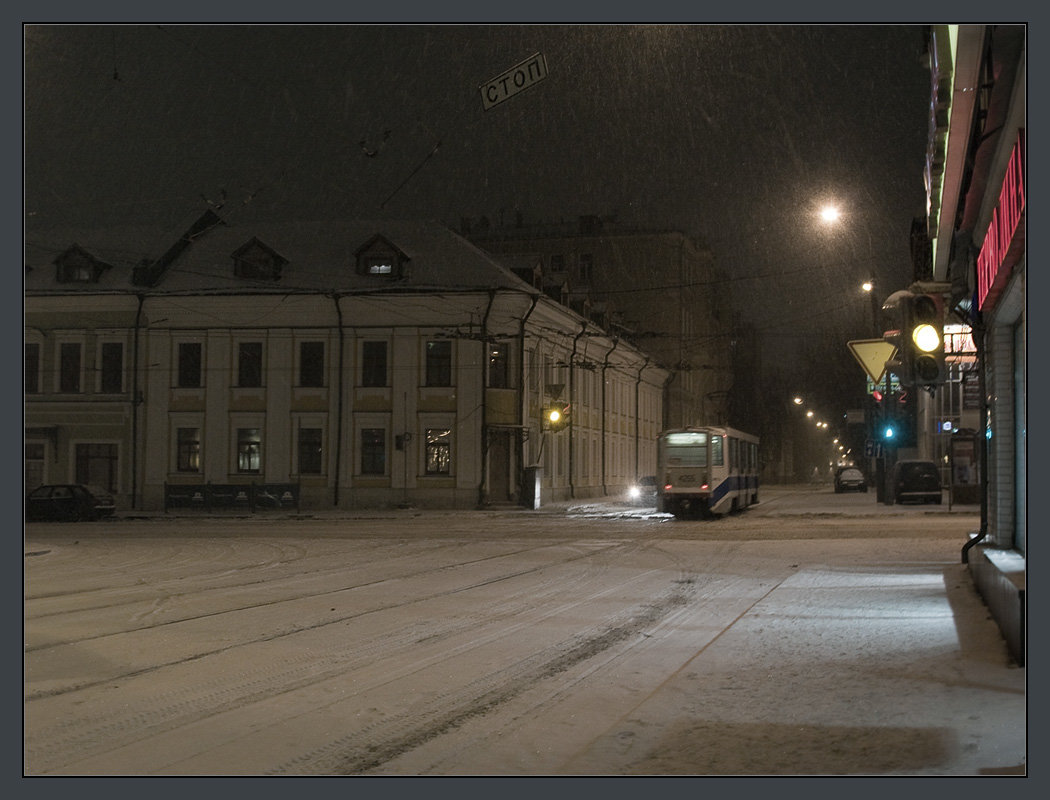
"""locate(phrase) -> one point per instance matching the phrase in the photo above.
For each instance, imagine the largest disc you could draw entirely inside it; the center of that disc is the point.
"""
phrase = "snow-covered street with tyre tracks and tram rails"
(815, 635)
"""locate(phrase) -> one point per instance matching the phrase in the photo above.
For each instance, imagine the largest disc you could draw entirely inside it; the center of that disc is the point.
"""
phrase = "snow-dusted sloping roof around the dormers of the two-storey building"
(322, 257)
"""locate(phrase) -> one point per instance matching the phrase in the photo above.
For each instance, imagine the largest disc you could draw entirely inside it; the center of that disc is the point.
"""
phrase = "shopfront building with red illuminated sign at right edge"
(976, 181)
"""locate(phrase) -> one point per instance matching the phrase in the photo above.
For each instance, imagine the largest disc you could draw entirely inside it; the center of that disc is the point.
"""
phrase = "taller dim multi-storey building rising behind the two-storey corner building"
(658, 288)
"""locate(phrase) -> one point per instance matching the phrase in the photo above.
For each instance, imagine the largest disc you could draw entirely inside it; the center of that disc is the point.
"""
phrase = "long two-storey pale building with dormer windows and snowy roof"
(347, 365)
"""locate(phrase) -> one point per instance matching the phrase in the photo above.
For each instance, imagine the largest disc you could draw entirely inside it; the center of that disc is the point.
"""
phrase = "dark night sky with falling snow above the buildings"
(736, 134)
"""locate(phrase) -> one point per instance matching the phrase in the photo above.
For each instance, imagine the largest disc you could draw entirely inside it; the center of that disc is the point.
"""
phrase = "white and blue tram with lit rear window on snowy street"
(706, 472)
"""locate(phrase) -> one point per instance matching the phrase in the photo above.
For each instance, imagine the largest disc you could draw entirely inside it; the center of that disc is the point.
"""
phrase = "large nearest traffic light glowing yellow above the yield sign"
(916, 329)
